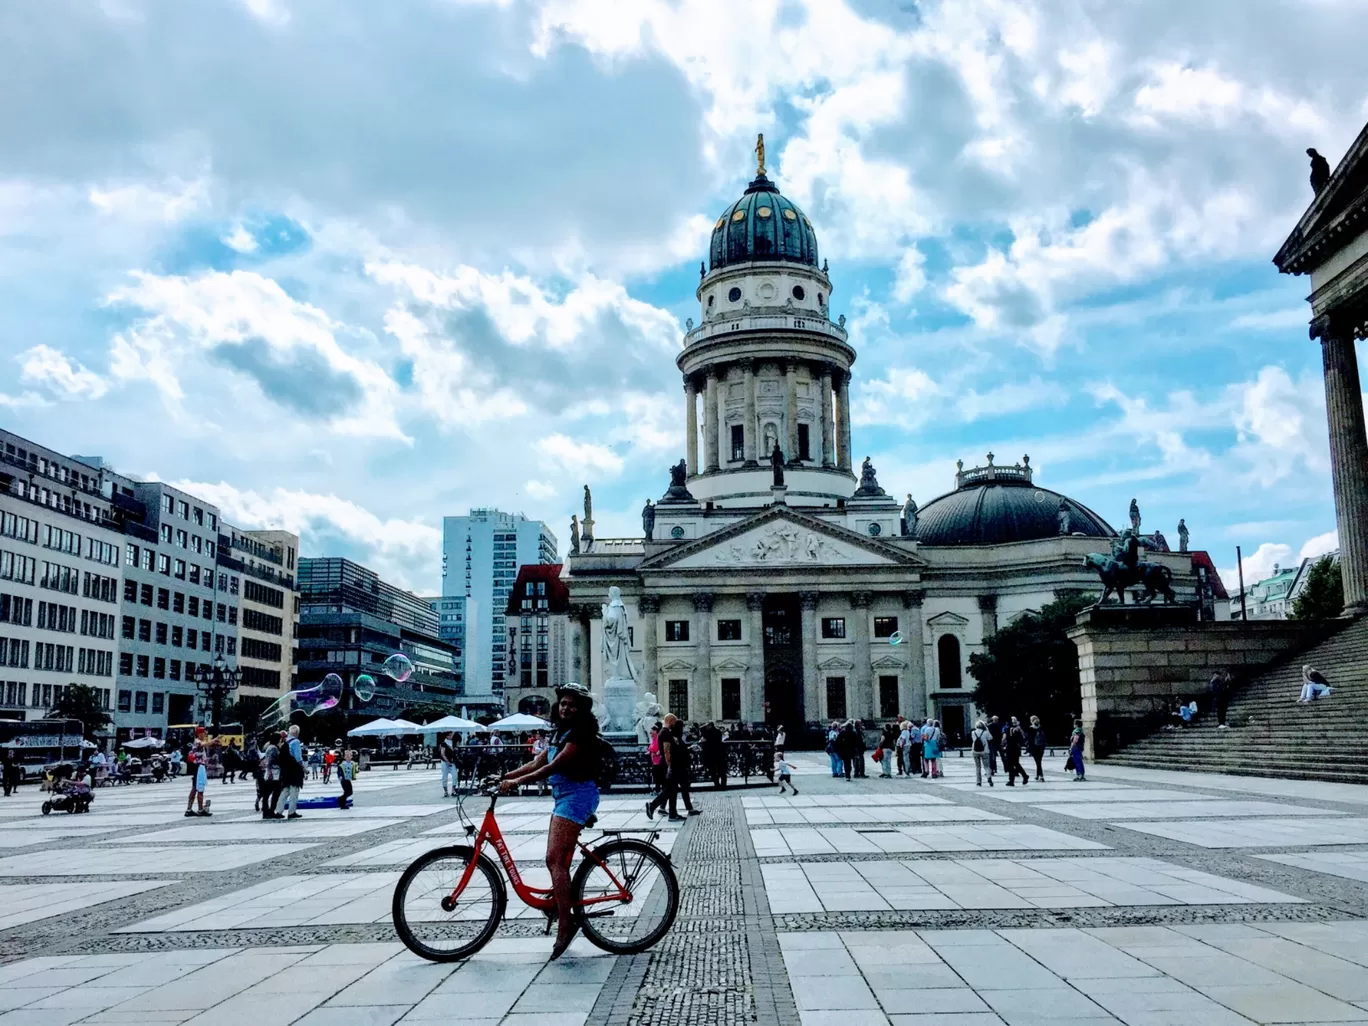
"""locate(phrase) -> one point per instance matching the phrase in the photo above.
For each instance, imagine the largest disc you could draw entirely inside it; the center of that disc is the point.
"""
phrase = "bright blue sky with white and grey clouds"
(350, 267)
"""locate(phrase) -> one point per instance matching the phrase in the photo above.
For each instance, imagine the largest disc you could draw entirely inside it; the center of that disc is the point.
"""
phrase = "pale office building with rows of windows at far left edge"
(61, 579)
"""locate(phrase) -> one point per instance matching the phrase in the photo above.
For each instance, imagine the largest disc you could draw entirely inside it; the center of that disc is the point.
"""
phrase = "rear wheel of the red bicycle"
(634, 924)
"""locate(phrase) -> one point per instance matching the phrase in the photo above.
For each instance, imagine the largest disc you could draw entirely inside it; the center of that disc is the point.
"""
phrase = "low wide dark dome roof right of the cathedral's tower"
(998, 512)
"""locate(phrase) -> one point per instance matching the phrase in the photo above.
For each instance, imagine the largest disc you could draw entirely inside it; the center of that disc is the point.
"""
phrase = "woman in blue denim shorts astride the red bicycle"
(570, 764)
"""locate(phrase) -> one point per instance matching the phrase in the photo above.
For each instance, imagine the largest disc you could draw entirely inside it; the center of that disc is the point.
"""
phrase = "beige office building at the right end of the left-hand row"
(269, 607)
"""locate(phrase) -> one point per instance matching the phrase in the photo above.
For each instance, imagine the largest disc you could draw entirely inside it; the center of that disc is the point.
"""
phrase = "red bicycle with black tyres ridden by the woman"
(448, 905)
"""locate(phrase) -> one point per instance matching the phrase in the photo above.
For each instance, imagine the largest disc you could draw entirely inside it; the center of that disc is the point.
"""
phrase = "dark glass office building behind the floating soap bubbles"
(351, 622)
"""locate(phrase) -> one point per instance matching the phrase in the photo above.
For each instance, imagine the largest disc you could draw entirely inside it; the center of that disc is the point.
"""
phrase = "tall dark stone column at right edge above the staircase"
(1348, 460)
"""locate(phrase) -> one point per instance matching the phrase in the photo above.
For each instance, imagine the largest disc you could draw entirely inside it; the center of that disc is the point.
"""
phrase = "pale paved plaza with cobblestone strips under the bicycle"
(1136, 898)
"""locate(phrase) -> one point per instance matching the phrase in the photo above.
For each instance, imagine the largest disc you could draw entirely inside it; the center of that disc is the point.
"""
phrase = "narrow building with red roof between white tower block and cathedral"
(538, 630)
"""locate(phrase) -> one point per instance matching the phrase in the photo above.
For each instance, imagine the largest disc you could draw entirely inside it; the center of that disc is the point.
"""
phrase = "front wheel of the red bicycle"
(430, 923)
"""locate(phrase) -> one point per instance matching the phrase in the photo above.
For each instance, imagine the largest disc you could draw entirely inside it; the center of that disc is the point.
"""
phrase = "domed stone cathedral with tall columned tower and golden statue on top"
(774, 581)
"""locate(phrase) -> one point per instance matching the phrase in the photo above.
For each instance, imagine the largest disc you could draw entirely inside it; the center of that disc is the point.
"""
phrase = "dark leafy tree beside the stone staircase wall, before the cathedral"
(1031, 668)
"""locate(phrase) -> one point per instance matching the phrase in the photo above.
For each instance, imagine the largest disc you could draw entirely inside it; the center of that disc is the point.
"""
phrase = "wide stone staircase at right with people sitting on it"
(1269, 734)
